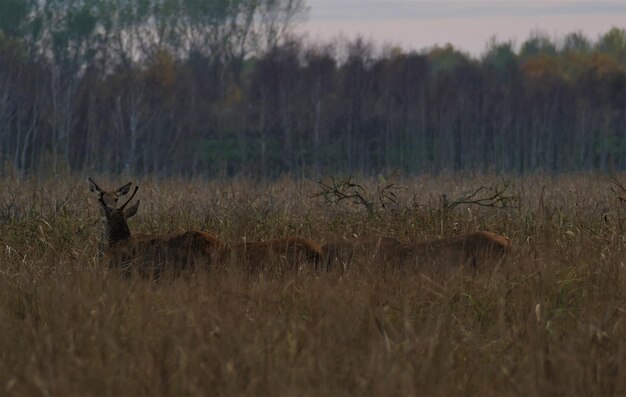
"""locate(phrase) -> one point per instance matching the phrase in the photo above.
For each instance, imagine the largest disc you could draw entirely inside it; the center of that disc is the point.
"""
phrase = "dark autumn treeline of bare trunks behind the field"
(189, 87)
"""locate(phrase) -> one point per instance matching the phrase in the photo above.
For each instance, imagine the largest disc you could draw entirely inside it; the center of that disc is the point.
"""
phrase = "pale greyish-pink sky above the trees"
(466, 24)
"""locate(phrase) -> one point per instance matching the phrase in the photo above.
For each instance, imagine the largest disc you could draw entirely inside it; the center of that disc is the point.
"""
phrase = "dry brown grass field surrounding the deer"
(549, 319)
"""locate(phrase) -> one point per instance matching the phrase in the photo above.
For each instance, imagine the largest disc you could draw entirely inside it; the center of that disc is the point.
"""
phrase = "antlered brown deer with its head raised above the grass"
(152, 255)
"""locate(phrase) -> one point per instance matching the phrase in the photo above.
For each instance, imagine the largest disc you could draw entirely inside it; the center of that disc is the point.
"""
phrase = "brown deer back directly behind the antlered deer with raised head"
(254, 255)
